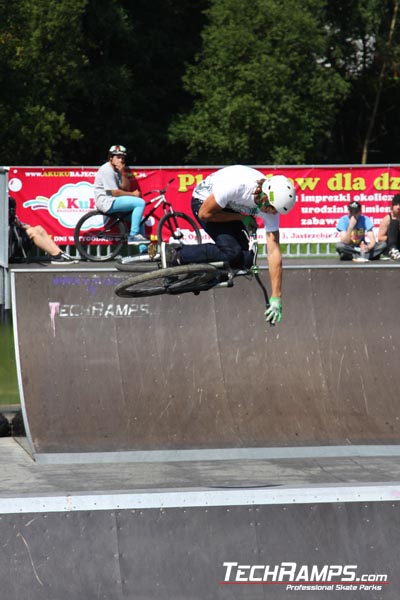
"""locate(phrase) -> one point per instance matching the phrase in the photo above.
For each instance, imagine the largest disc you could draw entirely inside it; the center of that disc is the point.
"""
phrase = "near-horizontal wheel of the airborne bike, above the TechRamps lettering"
(174, 280)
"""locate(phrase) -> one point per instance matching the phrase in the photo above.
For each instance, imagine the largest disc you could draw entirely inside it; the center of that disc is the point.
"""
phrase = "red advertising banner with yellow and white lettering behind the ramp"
(57, 197)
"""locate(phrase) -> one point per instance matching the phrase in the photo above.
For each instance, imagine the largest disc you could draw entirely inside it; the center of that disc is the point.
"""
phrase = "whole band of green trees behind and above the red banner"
(206, 81)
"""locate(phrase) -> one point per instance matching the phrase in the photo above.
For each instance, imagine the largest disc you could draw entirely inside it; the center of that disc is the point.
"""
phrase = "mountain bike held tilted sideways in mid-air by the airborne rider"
(190, 278)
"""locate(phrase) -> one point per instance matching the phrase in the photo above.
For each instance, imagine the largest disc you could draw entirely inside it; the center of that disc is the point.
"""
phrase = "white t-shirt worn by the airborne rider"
(233, 187)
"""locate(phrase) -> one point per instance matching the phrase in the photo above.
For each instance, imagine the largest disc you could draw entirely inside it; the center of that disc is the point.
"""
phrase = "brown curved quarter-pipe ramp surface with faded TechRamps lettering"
(103, 374)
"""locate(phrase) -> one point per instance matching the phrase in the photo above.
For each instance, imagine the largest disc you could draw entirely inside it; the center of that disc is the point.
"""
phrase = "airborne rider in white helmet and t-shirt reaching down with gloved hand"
(219, 203)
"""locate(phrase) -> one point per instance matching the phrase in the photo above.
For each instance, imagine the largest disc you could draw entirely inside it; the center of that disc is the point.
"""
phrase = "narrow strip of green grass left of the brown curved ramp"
(8, 372)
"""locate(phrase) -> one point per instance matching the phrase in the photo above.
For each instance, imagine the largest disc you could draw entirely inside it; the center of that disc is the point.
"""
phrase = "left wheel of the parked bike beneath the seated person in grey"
(89, 240)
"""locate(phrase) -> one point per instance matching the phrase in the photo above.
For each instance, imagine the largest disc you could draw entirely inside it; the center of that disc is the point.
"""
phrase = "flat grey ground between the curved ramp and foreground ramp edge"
(21, 475)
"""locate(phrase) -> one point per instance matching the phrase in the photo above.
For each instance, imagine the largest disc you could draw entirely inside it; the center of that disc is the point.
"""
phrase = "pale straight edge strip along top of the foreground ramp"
(207, 498)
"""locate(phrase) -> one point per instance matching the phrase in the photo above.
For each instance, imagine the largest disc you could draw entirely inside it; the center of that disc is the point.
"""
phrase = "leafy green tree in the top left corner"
(39, 60)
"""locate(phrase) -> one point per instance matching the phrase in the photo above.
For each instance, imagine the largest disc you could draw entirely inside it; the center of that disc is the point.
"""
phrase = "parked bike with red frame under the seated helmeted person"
(100, 237)
